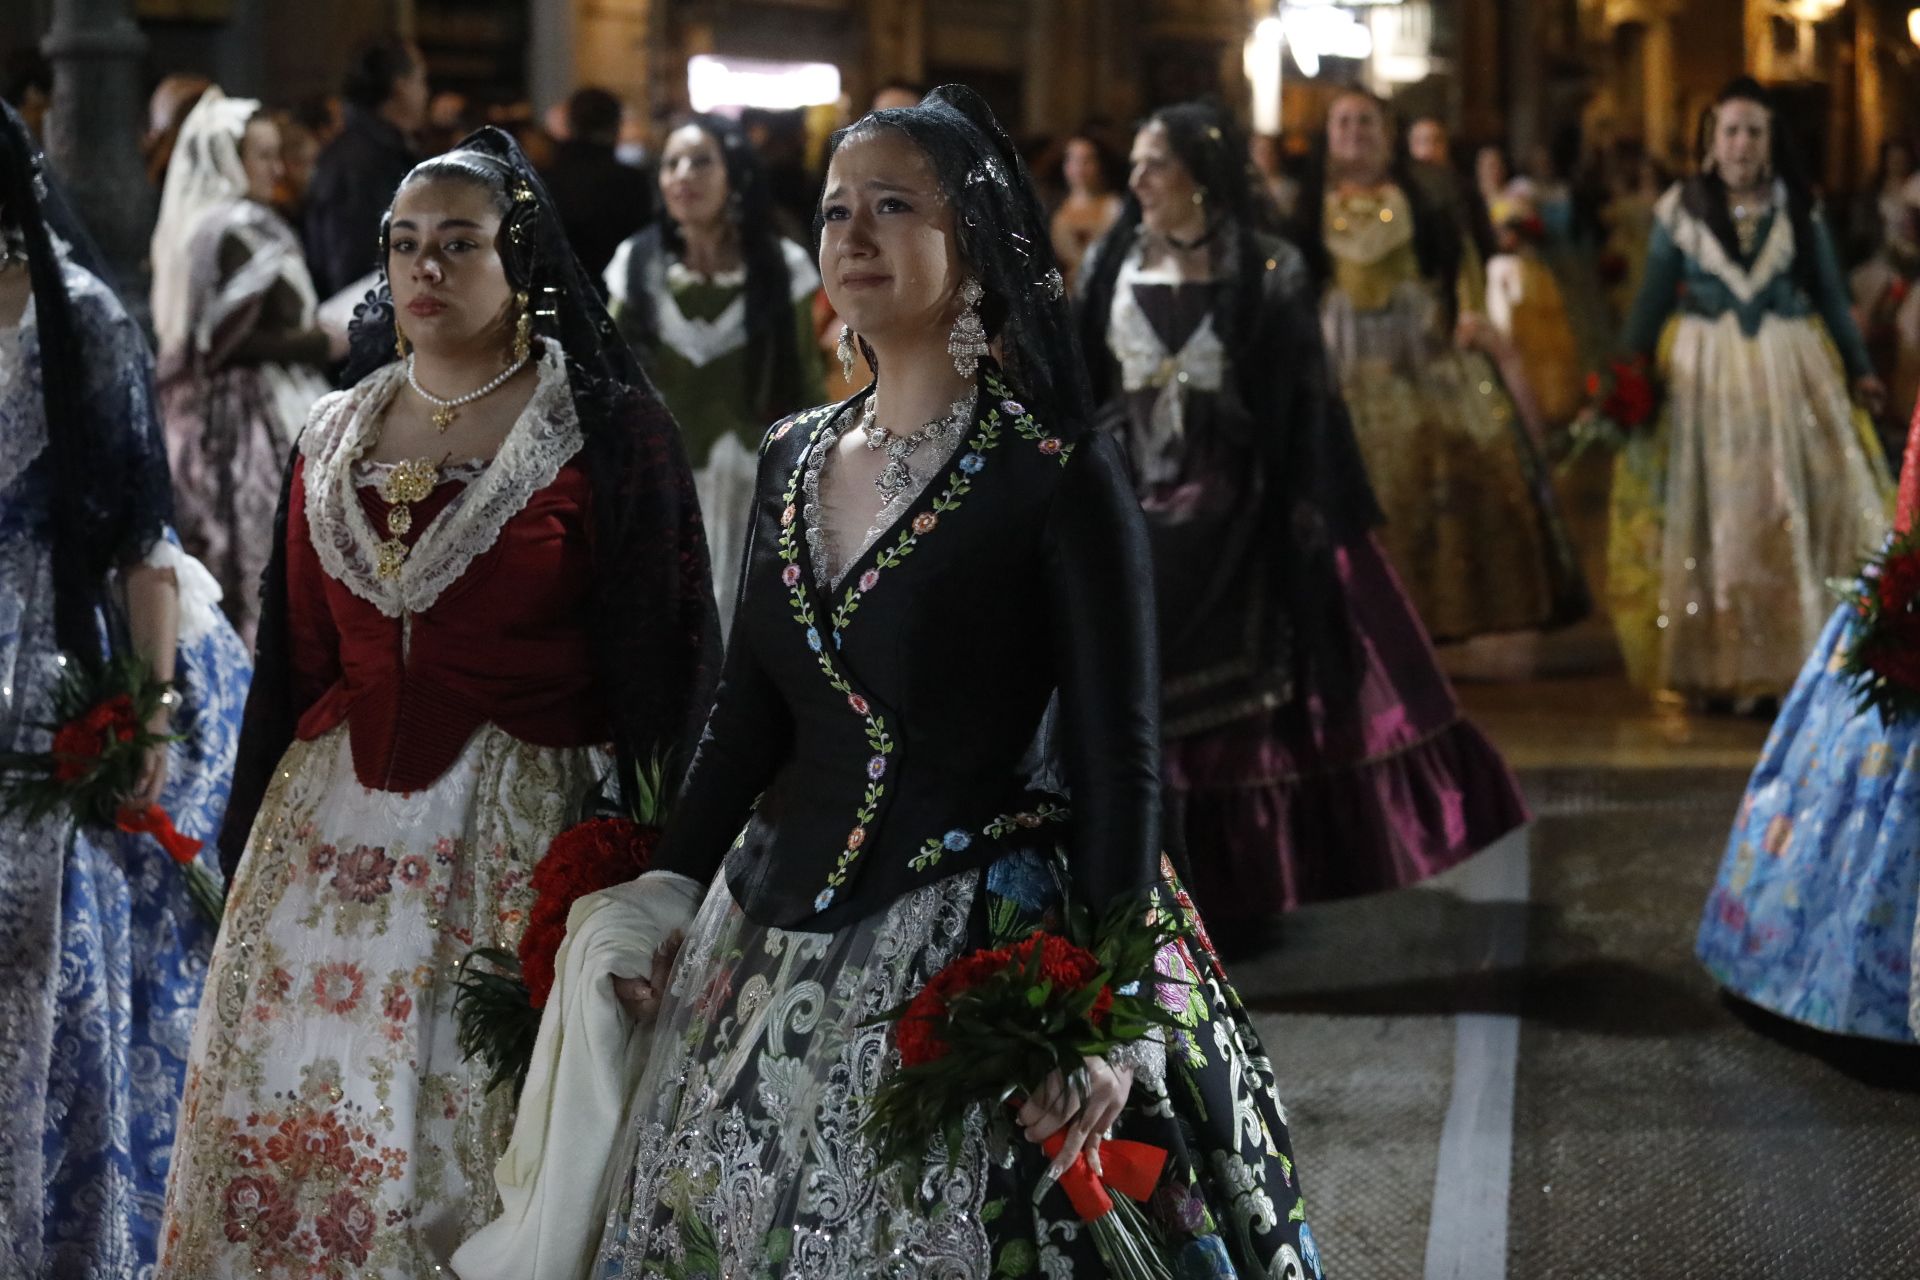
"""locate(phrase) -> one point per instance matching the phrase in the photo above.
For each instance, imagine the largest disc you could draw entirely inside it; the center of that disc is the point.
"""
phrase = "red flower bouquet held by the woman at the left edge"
(93, 765)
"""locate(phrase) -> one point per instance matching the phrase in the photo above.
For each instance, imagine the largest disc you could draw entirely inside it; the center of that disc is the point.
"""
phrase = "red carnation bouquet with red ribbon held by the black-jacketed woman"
(996, 1024)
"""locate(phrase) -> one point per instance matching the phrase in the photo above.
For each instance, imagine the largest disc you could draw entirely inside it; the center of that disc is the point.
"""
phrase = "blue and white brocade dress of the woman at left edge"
(99, 945)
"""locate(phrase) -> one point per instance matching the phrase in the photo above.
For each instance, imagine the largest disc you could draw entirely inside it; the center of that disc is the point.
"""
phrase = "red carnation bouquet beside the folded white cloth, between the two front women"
(498, 1007)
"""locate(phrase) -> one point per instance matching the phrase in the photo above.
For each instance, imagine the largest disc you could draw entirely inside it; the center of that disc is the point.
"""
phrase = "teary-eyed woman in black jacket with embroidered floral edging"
(913, 598)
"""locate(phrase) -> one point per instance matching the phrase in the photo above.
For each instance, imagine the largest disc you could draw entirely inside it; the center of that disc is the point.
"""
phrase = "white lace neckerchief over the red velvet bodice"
(345, 427)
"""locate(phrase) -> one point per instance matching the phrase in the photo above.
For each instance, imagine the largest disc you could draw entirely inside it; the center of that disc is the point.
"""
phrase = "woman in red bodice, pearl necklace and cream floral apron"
(491, 596)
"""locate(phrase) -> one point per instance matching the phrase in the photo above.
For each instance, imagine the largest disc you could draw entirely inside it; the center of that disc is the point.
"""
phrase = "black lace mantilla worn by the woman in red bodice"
(656, 628)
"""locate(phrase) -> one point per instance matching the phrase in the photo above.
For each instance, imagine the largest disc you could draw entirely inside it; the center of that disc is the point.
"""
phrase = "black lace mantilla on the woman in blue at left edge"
(112, 492)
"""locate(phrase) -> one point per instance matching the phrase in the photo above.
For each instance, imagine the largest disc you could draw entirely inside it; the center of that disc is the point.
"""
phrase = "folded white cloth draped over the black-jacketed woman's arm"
(554, 1181)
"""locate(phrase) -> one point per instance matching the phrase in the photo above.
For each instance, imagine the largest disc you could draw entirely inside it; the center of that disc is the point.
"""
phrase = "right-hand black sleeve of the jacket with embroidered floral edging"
(1105, 650)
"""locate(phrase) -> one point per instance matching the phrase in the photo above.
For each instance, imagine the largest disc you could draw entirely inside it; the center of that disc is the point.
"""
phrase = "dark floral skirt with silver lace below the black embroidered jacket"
(746, 1154)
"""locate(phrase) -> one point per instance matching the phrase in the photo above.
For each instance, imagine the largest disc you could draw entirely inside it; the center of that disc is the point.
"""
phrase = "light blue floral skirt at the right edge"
(1813, 913)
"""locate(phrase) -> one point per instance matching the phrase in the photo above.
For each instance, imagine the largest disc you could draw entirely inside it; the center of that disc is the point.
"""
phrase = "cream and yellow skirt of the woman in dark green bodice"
(1760, 488)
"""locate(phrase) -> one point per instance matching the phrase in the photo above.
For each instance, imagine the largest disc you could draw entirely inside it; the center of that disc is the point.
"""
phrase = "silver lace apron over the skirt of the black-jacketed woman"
(757, 1095)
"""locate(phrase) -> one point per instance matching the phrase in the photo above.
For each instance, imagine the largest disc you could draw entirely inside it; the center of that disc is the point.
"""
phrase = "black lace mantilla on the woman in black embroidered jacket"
(1007, 245)
